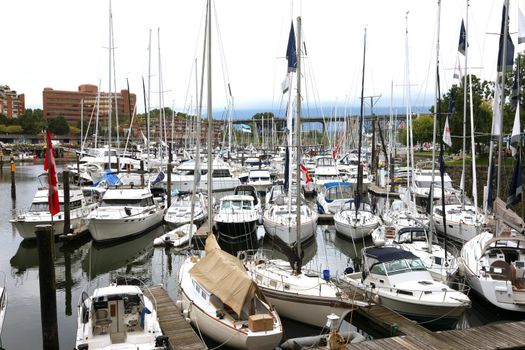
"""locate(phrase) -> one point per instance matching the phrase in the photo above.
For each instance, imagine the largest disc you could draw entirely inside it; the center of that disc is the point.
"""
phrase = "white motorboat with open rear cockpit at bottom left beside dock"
(118, 317)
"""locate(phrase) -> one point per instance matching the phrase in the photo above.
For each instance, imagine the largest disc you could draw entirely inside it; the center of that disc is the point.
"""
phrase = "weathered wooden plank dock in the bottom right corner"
(509, 335)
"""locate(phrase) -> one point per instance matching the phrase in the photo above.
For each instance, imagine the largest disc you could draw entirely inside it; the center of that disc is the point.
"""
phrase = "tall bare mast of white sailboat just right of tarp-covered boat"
(298, 142)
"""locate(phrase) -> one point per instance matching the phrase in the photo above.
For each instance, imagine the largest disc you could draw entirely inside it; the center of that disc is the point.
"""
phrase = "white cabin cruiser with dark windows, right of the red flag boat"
(125, 211)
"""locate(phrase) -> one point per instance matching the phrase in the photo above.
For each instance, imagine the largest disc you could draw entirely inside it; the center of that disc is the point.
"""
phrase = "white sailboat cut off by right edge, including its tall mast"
(494, 262)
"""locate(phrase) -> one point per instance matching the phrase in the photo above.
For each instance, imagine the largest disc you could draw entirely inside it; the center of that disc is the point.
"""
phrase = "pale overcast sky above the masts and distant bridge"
(64, 43)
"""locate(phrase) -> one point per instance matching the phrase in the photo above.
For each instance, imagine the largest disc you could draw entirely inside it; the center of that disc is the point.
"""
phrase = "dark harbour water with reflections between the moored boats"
(81, 264)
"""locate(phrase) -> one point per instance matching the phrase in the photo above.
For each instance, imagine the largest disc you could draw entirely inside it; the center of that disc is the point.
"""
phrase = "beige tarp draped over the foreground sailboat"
(224, 275)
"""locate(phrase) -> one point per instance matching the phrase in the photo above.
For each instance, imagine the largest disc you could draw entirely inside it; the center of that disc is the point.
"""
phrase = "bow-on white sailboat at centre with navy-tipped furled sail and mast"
(289, 214)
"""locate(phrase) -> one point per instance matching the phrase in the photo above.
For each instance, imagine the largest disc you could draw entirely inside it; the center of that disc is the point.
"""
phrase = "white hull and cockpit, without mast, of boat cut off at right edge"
(494, 266)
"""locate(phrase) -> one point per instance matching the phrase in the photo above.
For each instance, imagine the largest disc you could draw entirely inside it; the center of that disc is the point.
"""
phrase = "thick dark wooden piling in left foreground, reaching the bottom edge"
(48, 297)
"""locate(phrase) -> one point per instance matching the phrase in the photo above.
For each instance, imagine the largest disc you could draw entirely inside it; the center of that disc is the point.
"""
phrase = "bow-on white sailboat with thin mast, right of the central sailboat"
(355, 219)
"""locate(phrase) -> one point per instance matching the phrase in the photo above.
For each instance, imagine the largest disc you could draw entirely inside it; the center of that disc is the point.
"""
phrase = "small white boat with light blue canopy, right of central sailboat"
(332, 196)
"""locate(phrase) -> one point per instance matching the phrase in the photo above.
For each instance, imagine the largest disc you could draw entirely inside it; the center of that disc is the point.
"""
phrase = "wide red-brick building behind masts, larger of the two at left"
(72, 104)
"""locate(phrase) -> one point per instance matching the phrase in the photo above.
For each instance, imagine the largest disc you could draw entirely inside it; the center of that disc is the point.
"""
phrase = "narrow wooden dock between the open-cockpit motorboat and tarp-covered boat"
(173, 324)
